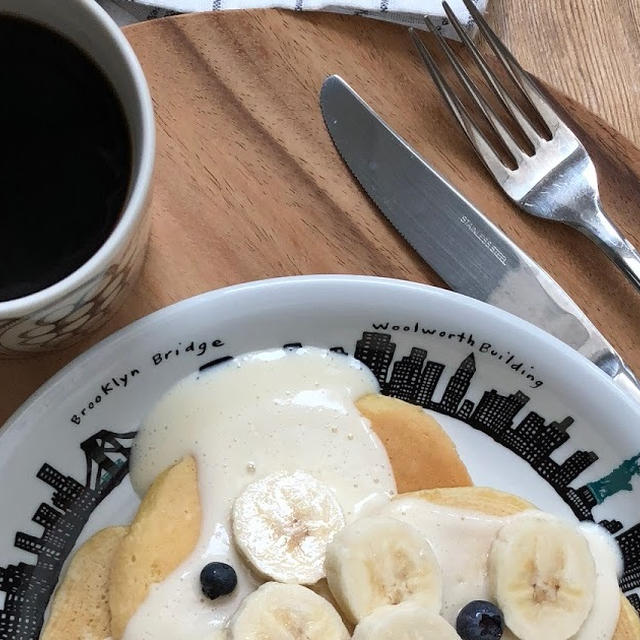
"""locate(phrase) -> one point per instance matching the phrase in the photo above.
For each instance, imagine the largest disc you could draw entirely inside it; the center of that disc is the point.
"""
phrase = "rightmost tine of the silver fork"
(529, 88)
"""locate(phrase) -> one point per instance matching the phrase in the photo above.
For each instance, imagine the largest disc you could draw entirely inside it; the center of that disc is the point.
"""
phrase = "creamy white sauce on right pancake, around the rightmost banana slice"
(461, 540)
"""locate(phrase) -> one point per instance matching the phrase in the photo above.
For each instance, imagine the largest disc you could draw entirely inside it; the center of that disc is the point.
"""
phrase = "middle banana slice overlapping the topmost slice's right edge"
(377, 561)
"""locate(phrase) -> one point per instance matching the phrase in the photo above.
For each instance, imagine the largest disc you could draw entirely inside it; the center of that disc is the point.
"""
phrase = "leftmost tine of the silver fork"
(483, 147)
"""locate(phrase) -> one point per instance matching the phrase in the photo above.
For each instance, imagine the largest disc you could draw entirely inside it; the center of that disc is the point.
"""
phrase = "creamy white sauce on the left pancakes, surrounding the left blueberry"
(258, 414)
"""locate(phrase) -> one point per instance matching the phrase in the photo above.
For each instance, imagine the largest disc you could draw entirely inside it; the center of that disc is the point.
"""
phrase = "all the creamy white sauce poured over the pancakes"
(276, 411)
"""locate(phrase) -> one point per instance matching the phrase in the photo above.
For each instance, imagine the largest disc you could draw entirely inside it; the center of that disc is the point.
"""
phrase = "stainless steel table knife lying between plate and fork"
(470, 253)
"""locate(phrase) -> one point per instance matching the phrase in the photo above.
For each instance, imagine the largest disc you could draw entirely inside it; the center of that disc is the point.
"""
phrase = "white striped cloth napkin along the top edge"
(405, 12)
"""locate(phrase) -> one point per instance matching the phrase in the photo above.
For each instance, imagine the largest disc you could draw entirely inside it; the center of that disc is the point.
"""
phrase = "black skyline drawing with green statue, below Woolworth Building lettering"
(414, 378)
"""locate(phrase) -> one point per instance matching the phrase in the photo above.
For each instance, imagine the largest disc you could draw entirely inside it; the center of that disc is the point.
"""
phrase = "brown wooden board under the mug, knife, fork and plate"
(249, 185)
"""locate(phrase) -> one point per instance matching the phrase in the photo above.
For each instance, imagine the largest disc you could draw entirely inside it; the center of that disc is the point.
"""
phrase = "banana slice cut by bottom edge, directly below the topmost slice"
(286, 612)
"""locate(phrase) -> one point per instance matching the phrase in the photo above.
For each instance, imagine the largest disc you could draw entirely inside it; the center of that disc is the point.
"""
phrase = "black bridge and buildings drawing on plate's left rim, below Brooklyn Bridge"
(28, 587)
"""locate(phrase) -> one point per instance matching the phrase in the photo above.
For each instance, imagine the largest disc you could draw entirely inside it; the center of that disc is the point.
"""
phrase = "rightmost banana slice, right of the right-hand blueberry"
(543, 577)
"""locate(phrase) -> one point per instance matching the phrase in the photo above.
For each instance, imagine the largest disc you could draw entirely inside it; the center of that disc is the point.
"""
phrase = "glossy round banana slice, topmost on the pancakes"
(283, 524)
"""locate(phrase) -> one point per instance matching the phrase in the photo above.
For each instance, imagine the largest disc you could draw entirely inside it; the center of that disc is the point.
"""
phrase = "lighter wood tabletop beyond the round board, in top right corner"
(588, 49)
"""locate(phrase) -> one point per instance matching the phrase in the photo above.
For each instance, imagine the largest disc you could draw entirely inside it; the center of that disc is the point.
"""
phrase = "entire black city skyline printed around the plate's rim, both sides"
(413, 378)
